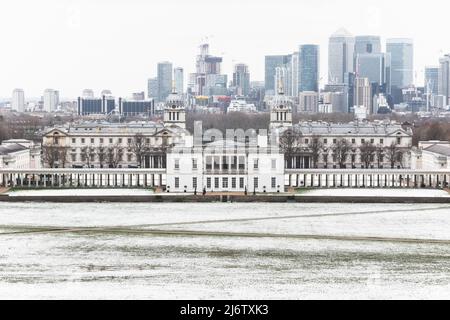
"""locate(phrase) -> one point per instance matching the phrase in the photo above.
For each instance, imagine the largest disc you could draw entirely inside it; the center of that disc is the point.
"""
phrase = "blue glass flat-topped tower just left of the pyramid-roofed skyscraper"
(309, 67)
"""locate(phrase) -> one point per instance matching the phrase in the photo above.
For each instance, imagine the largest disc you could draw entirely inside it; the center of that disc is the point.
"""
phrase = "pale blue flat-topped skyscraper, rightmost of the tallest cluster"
(402, 62)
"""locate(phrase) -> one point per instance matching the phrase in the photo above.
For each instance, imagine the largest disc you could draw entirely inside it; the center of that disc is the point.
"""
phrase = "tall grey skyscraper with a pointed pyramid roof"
(341, 50)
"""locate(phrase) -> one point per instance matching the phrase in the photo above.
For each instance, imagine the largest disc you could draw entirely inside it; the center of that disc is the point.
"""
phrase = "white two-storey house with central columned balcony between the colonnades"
(226, 166)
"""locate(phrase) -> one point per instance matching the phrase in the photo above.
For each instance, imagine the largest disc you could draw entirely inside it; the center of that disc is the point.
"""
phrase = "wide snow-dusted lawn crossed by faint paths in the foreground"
(224, 251)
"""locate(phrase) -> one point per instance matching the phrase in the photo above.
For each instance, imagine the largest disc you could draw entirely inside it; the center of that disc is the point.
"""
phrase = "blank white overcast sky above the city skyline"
(70, 45)
